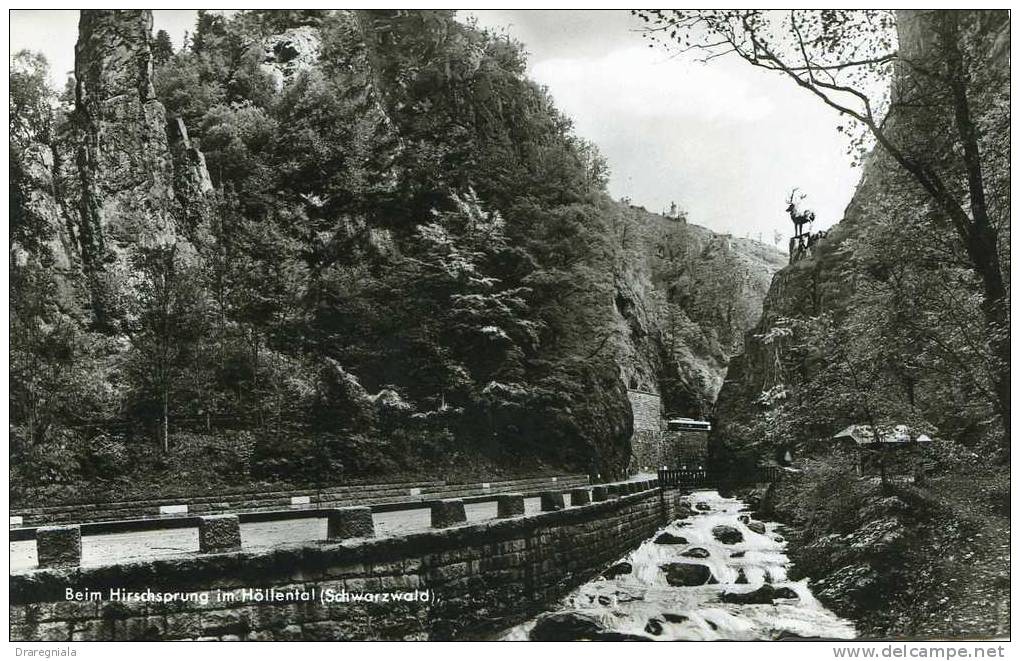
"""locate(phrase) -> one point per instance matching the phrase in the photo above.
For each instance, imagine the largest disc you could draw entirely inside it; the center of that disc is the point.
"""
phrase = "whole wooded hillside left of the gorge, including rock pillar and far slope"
(374, 247)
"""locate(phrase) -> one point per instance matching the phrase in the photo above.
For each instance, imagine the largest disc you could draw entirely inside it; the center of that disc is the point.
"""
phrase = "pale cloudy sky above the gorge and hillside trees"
(724, 140)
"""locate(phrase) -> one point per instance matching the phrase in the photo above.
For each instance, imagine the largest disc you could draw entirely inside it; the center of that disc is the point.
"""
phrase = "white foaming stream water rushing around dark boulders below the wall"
(643, 603)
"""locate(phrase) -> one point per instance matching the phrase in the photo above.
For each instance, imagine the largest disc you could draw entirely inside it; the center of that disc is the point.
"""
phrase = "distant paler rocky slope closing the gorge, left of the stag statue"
(685, 297)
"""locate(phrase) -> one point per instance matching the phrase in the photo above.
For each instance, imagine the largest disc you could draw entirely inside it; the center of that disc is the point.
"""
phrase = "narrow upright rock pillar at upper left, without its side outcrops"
(124, 159)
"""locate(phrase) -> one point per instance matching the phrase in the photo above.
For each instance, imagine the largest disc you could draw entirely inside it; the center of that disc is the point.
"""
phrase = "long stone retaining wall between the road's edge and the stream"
(479, 579)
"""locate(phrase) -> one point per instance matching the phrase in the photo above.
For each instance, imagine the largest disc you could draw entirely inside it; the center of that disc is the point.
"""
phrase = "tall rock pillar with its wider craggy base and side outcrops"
(119, 173)
